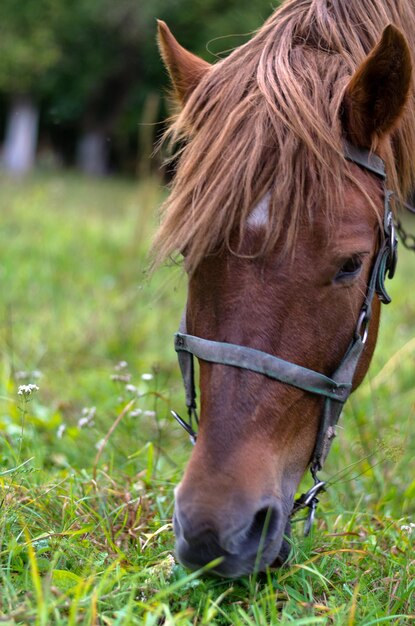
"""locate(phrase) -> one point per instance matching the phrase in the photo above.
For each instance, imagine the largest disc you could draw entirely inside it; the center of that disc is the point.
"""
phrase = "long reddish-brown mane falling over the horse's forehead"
(267, 119)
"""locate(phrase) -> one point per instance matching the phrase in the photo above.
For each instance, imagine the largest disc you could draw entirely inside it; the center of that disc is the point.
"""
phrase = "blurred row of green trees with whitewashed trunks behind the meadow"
(94, 68)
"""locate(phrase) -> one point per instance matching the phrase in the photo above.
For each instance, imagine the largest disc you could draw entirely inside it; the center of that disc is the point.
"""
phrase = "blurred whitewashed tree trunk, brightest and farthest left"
(21, 136)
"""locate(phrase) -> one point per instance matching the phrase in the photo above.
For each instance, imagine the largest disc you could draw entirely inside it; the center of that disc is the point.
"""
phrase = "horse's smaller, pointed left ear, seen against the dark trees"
(185, 68)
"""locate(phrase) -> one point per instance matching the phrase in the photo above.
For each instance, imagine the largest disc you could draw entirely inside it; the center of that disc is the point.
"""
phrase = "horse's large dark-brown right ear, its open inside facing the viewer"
(376, 95)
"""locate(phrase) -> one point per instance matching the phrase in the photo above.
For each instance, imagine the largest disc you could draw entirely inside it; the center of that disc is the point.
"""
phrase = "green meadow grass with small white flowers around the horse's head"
(89, 462)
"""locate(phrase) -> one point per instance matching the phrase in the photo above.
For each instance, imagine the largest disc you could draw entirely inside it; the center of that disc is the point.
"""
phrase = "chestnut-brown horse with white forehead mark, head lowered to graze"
(280, 234)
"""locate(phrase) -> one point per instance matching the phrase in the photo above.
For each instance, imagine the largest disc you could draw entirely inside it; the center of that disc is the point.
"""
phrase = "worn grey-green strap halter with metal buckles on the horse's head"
(335, 389)
